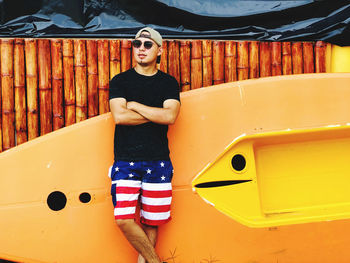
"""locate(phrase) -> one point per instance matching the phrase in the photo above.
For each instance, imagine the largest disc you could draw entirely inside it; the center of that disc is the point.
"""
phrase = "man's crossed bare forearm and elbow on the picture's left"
(124, 116)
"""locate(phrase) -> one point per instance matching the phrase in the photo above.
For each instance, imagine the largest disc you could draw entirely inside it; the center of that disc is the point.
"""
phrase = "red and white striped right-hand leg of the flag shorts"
(156, 201)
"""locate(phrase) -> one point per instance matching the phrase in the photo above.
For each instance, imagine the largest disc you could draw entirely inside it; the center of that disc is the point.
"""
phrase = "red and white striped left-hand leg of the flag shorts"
(127, 192)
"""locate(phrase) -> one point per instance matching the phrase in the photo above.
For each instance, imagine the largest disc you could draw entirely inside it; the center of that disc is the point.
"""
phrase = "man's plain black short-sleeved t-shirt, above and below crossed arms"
(148, 141)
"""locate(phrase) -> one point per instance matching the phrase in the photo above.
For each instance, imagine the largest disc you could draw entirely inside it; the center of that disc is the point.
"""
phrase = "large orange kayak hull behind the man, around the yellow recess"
(75, 161)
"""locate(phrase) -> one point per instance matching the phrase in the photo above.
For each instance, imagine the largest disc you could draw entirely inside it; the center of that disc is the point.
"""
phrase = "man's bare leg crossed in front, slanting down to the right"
(138, 239)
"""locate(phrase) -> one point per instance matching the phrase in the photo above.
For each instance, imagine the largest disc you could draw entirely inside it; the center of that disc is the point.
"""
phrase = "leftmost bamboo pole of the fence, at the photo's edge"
(8, 129)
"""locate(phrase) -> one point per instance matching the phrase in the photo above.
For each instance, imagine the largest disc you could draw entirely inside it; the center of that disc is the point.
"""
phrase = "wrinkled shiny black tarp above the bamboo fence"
(304, 20)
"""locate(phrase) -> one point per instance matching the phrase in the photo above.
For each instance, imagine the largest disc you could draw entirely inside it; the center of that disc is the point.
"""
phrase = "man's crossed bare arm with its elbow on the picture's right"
(166, 115)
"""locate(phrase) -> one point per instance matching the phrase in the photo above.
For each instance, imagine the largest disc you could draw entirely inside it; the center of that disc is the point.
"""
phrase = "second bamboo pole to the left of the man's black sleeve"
(91, 50)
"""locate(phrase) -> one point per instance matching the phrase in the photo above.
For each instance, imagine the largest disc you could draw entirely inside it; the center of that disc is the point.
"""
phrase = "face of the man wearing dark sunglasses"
(144, 55)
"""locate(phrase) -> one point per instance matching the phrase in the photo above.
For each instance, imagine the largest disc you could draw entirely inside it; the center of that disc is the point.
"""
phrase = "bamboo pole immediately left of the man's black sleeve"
(103, 75)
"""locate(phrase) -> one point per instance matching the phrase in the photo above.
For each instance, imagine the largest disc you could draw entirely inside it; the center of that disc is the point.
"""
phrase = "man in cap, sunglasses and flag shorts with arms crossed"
(143, 102)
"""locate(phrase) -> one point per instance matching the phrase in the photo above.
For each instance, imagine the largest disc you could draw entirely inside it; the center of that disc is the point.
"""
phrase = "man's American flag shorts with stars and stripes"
(151, 179)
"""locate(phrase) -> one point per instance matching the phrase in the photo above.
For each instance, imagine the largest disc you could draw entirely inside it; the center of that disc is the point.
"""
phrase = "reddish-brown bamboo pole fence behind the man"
(47, 84)
